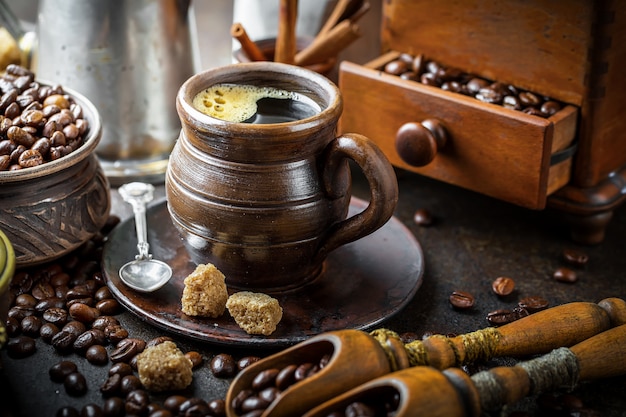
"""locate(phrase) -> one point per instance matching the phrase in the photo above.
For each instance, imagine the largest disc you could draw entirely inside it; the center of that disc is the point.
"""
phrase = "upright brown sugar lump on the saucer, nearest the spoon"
(205, 292)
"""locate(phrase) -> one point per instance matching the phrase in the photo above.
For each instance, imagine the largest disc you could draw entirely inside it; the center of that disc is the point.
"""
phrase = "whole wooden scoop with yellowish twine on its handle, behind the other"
(357, 357)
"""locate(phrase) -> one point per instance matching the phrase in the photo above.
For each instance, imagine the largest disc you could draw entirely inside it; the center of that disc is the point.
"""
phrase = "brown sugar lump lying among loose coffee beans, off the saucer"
(164, 367)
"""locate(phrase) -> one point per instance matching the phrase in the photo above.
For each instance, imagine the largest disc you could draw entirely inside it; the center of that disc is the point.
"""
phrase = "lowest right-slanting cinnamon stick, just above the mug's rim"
(329, 45)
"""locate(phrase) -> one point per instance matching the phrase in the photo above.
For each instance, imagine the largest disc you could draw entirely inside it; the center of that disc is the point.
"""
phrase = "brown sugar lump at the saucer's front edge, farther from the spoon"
(255, 313)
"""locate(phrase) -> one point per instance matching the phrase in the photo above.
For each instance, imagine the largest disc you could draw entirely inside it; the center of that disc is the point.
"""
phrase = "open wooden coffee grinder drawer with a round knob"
(500, 152)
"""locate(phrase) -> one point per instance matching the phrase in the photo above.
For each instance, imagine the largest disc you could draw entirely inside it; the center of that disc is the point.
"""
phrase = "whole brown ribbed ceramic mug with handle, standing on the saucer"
(266, 203)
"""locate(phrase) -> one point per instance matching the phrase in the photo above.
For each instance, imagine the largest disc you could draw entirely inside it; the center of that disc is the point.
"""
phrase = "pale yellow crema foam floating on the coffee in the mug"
(236, 102)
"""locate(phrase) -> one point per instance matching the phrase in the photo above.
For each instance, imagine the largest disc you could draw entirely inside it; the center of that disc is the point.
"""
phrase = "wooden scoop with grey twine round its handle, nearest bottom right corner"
(452, 393)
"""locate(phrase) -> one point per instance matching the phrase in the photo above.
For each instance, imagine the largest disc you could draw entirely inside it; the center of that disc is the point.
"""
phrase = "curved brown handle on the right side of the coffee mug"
(382, 182)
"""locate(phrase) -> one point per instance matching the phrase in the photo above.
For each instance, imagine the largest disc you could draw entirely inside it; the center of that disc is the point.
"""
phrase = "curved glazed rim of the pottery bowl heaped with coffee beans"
(90, 112)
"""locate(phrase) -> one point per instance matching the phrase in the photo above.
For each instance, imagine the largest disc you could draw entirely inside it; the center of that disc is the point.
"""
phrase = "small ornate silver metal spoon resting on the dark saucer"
(144, 274)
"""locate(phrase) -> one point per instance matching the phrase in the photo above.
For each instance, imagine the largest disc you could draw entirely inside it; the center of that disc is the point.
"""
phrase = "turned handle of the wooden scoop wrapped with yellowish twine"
(559, 326)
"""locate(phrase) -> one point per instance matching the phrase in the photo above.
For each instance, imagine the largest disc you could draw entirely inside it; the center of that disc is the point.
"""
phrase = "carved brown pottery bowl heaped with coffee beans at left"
(54, 195)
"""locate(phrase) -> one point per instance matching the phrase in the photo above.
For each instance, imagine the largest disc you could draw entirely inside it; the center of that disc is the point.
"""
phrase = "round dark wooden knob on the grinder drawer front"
(418, 143)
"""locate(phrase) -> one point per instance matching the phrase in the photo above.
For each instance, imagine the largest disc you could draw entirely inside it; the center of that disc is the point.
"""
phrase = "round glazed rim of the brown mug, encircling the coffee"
(329, 109)
